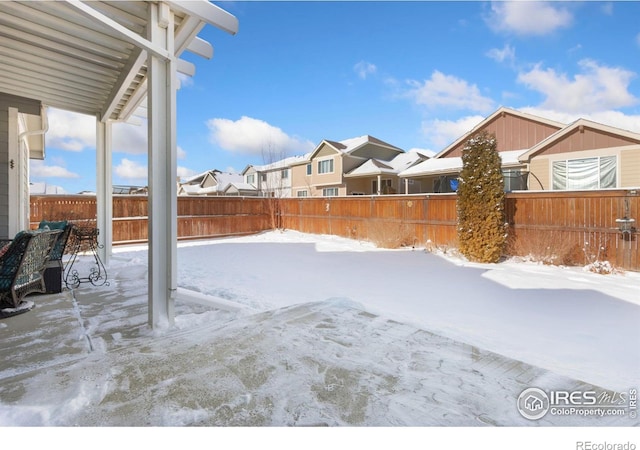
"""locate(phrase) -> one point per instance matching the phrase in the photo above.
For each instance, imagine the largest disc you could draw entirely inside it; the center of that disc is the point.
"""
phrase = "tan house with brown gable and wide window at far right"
(585, 155)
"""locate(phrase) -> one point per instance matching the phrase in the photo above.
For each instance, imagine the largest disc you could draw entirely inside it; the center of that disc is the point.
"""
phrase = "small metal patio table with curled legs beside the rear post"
(85, 239)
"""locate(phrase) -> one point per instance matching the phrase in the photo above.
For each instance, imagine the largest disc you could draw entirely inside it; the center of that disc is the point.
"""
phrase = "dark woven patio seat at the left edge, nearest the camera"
(22, 264)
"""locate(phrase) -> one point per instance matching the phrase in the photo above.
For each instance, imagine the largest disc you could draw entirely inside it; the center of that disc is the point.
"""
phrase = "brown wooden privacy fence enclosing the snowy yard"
(572, 227)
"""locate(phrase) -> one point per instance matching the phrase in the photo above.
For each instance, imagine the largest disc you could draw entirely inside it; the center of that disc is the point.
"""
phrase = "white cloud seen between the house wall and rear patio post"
(70, 131)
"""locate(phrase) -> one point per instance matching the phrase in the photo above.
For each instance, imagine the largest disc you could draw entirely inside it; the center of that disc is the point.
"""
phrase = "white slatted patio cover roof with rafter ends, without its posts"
(90, 57)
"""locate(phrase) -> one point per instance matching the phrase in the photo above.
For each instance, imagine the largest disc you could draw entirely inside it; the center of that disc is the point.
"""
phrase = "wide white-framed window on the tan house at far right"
(585, 173)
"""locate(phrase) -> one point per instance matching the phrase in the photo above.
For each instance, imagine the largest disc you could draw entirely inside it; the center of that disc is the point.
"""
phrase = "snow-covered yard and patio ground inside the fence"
(330, 331)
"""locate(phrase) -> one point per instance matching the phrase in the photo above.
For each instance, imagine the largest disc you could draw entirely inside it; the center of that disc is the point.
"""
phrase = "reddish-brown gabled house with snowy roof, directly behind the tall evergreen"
(516, 133)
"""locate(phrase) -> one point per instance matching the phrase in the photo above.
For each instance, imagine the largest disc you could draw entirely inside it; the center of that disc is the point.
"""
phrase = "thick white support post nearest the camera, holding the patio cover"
(162, 162)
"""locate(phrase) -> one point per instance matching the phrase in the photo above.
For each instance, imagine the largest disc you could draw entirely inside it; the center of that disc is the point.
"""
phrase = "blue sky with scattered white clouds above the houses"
(415, 74)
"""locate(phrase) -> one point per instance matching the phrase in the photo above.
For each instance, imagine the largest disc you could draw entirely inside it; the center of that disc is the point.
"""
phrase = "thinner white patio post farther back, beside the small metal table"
(104, 190)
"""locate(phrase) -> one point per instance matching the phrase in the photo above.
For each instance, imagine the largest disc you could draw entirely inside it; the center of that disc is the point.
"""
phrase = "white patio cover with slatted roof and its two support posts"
(108, 59)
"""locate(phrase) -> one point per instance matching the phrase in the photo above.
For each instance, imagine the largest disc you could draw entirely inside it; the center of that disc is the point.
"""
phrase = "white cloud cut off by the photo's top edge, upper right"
(528, 17)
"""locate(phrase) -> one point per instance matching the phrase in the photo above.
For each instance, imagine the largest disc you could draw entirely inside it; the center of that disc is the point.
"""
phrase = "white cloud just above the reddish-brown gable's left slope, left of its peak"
(450, 92)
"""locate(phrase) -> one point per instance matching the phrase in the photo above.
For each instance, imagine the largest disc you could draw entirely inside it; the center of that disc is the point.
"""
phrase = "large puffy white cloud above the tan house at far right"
(597, 88)
